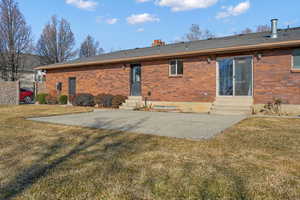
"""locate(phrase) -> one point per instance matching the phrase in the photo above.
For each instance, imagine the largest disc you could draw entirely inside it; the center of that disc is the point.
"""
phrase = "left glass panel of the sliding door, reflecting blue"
(226, 77)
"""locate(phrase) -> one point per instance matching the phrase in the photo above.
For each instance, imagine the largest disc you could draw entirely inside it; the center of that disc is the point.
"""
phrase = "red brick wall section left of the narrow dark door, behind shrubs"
(94, 80)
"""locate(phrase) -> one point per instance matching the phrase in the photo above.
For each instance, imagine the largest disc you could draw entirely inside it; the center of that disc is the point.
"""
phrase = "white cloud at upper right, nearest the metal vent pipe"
(234, 10)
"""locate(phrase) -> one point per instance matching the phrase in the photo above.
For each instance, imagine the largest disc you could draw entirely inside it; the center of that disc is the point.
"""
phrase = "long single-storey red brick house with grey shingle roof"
(221, 75)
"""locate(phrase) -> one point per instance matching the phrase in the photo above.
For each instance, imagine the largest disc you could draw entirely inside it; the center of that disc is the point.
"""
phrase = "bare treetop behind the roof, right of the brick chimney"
(196, 33)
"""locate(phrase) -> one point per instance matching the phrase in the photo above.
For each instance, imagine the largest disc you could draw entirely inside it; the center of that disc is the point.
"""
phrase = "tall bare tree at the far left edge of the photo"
(15, 39)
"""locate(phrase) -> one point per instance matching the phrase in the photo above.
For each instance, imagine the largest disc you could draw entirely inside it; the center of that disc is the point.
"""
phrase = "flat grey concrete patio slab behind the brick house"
(179, 125)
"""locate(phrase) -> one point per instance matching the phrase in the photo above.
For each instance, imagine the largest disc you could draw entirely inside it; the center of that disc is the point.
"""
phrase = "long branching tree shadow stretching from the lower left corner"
(27, 177)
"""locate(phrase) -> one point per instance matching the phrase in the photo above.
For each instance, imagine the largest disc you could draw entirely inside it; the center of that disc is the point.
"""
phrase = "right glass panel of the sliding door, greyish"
(243, 76)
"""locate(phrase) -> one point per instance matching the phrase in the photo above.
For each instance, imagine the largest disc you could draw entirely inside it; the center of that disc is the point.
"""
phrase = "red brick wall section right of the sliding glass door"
(273, 78)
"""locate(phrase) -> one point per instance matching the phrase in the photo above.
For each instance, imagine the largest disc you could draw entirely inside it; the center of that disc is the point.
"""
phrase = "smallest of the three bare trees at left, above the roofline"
(89, 48)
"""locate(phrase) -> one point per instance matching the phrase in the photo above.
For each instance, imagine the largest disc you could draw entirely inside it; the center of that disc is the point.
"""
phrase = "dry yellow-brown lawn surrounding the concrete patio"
(257, 159)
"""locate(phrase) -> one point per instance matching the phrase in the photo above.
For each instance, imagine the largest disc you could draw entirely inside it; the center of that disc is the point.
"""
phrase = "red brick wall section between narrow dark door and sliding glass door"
(198, 83)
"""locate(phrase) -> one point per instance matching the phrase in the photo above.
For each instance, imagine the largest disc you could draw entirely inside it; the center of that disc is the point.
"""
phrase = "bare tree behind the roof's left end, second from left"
(57, 42)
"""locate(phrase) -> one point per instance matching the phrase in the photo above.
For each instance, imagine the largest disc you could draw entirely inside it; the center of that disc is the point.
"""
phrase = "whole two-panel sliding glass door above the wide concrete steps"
(235, 76)
